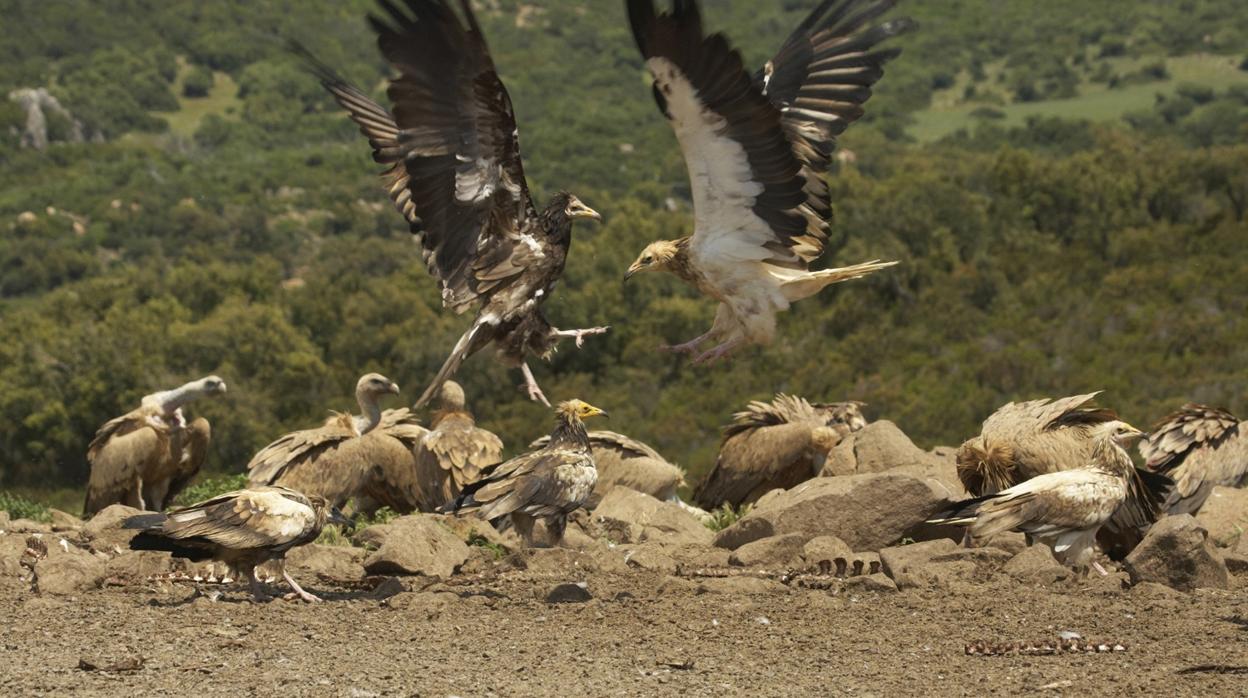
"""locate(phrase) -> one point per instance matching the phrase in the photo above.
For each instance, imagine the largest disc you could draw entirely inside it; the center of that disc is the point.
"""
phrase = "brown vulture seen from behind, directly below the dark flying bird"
(455, 453)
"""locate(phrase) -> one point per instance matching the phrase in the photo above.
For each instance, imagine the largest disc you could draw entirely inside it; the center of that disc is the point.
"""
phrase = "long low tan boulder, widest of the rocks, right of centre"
(865, 511)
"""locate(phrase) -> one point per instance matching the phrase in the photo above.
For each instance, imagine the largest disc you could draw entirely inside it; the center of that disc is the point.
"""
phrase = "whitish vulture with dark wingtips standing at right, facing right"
(1063, 510)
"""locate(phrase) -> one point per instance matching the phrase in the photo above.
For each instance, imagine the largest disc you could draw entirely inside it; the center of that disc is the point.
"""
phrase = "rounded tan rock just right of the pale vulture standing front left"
(412, 545)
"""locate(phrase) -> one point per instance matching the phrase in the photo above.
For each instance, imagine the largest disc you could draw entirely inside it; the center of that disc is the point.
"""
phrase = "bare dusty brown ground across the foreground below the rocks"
(642, 634)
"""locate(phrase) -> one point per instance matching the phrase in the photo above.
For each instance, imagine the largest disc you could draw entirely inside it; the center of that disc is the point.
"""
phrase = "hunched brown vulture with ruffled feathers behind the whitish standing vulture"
(1024, 440)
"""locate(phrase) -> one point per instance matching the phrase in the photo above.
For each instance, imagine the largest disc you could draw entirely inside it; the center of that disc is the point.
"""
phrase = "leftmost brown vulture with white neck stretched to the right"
(147, 456)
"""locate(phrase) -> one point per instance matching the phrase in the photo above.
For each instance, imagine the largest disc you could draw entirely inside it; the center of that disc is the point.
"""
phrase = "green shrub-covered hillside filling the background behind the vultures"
(205, 208)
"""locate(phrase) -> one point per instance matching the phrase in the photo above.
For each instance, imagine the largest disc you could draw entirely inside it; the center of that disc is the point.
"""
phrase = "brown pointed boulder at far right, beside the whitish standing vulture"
(1177, 553)
